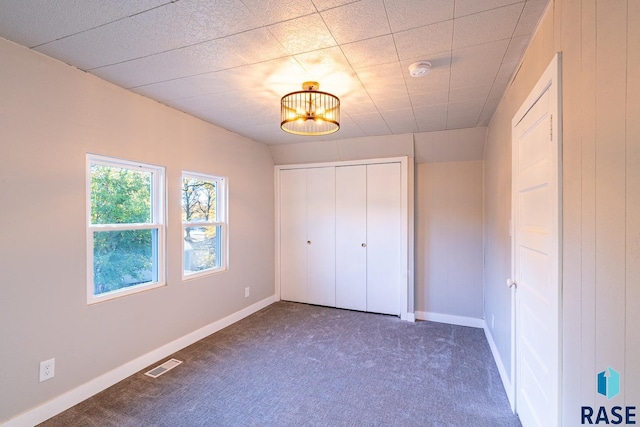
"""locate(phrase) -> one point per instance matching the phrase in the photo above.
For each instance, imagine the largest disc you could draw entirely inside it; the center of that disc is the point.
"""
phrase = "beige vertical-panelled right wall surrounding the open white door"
(600, 44)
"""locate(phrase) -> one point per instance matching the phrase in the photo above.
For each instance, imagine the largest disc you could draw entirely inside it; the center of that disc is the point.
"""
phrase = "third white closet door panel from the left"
(351, 237)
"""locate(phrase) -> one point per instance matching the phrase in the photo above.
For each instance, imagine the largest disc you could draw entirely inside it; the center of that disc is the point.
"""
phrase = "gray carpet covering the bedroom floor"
(300, 365)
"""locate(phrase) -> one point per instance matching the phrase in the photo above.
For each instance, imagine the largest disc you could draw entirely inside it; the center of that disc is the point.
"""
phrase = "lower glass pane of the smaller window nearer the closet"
(202, 248)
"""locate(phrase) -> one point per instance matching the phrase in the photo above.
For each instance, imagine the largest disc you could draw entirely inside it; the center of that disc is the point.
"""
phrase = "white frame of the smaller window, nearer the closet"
(222, 220)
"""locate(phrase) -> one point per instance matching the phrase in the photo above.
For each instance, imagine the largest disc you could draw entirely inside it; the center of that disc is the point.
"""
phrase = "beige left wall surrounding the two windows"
(50, 116)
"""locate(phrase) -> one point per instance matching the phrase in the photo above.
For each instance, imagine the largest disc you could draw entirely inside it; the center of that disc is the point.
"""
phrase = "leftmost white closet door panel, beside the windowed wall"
(293, 235)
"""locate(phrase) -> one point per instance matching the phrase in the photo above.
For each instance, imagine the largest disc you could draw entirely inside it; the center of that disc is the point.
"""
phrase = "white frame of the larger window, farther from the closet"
(158, 209)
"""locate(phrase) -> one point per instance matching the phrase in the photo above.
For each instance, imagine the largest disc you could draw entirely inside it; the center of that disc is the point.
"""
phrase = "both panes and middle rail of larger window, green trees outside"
(123, 226)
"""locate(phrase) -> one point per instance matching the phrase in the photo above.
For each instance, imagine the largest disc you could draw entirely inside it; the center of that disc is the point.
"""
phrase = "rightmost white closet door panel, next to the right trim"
(384, 216)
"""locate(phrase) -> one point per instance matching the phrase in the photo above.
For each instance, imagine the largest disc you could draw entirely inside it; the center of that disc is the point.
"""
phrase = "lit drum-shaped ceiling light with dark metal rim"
(310, 112)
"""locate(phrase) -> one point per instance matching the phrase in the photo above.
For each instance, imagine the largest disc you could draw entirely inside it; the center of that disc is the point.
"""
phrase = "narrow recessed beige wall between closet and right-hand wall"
(448, 244)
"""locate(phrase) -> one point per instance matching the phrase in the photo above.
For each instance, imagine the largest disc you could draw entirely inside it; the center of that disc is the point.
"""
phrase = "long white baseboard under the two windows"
(73, 397)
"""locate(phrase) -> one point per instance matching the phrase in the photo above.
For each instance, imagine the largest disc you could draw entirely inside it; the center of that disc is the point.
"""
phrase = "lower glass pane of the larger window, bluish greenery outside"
(122, 259)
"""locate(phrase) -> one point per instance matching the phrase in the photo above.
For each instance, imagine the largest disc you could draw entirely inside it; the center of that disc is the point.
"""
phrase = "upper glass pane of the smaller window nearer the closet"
(199, 200)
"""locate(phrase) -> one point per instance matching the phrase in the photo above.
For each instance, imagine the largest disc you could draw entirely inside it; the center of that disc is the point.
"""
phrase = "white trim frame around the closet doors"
(407, 310)
